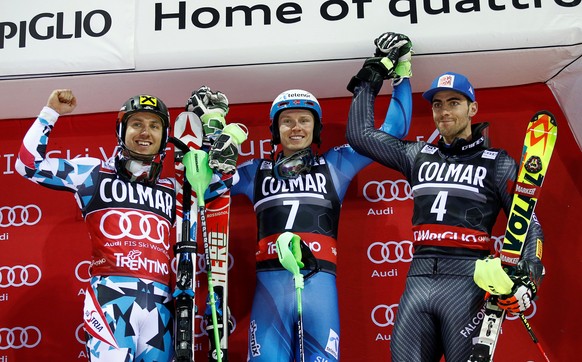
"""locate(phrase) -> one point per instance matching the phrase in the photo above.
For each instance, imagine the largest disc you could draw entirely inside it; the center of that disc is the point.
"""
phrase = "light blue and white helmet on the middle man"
(295, 98)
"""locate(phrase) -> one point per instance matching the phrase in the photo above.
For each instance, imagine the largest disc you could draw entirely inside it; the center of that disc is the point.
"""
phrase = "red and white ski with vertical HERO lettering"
(218, 218)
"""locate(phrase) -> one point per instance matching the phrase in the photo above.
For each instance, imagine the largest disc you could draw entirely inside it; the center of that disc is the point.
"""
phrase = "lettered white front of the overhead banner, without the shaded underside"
(39, 37)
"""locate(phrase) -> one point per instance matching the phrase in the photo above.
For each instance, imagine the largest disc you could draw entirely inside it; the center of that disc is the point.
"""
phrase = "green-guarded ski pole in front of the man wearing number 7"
(289, 253)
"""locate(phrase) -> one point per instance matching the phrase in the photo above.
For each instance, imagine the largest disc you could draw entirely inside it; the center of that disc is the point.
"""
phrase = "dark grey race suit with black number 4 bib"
(458, 191)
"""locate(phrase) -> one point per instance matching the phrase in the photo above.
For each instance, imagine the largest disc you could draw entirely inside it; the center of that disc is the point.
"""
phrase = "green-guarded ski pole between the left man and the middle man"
(199, 175)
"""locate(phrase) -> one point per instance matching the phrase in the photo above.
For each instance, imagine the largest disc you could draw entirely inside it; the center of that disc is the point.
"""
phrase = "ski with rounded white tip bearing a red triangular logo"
(187, 136)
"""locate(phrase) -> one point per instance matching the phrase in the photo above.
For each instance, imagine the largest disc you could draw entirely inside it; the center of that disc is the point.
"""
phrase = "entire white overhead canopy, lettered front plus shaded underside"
(254, 49)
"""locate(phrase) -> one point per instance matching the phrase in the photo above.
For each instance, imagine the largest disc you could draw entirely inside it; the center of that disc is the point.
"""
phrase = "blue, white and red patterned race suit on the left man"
(128, 306)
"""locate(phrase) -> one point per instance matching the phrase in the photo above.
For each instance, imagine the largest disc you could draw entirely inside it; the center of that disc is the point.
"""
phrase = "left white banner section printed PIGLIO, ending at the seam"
(42, 38)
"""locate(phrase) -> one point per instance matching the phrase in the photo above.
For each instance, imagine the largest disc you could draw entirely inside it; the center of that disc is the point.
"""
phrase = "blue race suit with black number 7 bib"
(308, 206)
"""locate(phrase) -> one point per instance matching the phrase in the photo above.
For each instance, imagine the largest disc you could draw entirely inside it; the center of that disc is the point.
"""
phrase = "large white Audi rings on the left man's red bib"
(135, 225)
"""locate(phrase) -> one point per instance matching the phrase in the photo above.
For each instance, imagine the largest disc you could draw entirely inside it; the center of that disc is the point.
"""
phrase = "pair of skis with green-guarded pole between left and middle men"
(193, 174)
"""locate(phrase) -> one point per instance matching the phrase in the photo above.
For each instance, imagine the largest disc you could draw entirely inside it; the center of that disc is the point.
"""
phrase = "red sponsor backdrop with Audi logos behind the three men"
(44, 246)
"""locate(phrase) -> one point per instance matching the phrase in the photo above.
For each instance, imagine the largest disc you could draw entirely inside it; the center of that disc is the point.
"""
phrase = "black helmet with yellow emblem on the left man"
(143, 103)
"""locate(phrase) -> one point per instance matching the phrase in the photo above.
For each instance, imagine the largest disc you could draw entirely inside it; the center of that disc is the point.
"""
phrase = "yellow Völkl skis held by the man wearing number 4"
(538, 146)
